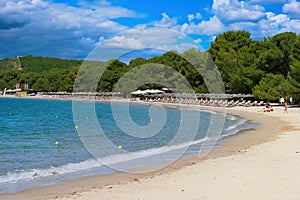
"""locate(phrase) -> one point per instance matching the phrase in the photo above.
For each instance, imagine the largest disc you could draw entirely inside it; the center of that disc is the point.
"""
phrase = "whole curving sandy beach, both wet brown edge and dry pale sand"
(258, 164)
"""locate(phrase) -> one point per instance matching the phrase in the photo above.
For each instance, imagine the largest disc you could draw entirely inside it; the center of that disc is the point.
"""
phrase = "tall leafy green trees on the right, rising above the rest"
(268, 69)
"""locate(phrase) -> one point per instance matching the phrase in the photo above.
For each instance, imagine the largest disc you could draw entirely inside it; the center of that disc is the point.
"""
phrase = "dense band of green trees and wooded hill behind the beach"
(268, 68)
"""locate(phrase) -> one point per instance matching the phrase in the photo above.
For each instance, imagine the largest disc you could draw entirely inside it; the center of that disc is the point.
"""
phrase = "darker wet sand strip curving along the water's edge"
(237, 144)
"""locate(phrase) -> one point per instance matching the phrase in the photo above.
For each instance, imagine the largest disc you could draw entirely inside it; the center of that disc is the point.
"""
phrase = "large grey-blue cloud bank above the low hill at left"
(55, 29)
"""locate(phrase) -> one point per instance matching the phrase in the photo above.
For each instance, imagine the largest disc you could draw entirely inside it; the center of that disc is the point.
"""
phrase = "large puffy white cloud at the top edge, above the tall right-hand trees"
(235, 11)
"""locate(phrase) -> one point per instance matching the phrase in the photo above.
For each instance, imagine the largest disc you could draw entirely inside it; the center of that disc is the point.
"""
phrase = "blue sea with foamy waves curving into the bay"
(44, 142)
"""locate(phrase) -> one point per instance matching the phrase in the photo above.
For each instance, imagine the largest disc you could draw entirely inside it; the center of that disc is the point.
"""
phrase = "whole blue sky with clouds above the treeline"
(72, 29)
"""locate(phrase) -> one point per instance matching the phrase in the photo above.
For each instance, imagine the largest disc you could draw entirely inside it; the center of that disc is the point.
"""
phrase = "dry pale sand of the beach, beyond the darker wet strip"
(266, 171)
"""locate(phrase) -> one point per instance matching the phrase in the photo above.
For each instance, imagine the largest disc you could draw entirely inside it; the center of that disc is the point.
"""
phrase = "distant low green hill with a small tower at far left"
(37, 63)
